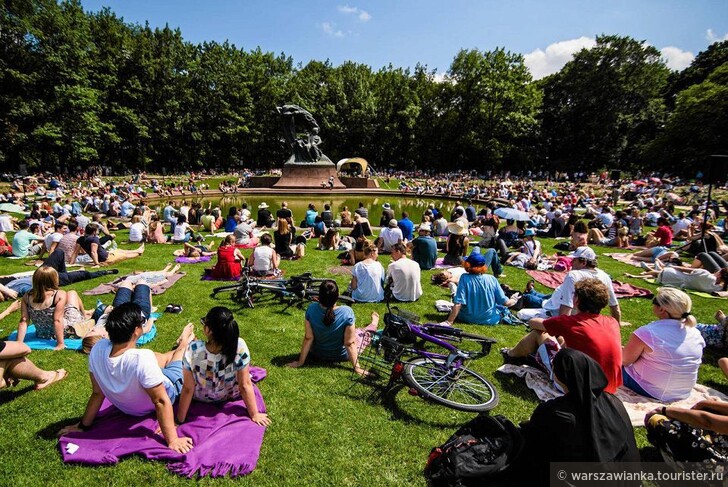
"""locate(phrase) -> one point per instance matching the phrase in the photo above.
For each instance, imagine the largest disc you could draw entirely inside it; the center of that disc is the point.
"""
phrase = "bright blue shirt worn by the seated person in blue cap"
(479, 294)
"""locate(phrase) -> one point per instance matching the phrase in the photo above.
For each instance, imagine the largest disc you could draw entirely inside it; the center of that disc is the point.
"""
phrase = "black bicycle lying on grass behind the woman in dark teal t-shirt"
(296, 290)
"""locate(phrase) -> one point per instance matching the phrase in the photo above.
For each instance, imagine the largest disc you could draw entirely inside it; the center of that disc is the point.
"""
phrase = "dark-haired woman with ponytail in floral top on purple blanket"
(218, 369)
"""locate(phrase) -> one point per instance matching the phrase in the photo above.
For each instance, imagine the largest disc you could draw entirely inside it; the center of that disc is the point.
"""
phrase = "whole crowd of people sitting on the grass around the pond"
(570, 337)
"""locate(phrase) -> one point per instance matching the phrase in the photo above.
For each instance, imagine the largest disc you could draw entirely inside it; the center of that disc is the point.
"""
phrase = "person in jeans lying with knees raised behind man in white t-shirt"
(130, 290)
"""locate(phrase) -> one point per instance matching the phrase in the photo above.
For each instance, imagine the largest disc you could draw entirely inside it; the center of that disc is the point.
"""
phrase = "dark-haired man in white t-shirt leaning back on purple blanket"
(135, 380)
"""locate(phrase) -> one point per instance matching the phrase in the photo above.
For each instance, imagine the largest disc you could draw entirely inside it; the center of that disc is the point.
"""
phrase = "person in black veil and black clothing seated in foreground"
(586, 424)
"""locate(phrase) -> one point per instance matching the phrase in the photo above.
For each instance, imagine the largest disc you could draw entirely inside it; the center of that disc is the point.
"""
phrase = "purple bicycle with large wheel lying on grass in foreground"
(398, 352)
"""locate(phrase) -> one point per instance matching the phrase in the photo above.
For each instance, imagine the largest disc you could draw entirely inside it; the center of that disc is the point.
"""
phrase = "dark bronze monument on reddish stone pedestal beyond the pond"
(307, 167)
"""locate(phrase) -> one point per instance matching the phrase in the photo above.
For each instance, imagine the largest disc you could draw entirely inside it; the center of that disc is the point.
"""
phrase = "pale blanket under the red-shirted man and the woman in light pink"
(637, 406)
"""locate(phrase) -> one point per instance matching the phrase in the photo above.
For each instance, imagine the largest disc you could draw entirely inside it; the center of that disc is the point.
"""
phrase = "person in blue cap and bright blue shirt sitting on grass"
(478, 295)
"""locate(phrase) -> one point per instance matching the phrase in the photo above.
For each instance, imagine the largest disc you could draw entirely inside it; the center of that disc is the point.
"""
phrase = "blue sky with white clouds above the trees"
(404, 33)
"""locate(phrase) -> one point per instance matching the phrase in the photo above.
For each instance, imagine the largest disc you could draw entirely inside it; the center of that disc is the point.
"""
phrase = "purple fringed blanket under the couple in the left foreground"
(226, 441)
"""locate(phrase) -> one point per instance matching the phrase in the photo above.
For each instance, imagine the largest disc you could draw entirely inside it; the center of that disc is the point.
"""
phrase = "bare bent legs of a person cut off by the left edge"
(14, 367)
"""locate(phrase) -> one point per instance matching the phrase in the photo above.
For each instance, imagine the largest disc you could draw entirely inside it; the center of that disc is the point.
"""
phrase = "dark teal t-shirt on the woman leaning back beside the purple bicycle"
(328, 341)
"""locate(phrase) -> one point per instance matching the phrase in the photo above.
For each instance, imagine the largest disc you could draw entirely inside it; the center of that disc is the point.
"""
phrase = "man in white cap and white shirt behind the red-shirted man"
(561, 302)
